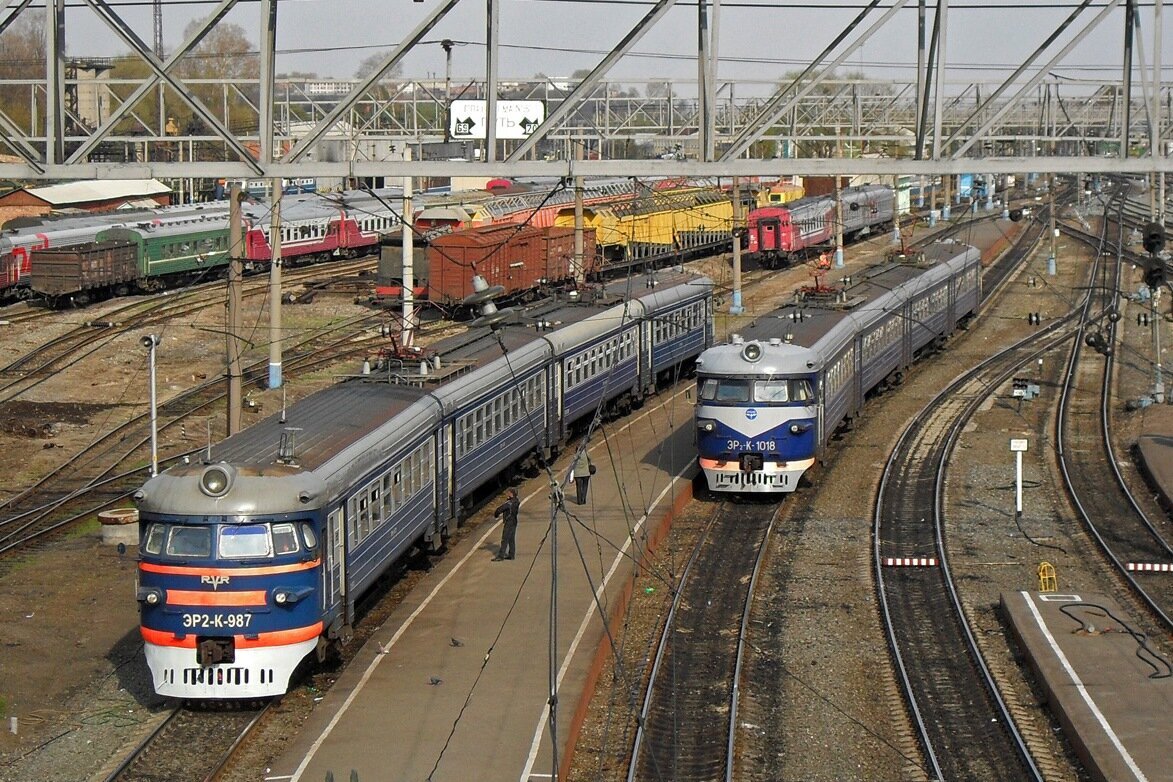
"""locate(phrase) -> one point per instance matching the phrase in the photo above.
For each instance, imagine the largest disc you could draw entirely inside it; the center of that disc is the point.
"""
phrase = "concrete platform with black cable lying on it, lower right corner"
(1100, 682)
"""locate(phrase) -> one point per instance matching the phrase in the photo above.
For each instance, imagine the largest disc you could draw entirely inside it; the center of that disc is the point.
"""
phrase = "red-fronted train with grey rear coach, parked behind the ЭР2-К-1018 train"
(781, 235)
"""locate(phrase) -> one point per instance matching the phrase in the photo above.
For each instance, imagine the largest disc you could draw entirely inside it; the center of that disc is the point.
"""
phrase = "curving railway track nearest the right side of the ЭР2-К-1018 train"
(965, 729)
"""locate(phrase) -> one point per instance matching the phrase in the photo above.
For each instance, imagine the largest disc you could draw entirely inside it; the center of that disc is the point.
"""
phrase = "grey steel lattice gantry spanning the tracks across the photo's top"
(812, 121)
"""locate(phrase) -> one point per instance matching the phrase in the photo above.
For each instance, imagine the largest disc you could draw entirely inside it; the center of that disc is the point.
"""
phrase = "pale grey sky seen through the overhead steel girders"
(760, 40)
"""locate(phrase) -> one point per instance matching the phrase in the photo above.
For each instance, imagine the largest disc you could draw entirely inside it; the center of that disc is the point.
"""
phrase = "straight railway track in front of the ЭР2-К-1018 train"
(691, 703)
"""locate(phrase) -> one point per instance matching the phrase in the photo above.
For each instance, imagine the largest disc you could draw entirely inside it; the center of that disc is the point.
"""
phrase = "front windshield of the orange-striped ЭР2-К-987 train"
(259, 541)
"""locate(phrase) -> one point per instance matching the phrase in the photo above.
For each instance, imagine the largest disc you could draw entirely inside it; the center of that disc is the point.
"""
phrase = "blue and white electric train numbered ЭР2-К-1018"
(770, 400)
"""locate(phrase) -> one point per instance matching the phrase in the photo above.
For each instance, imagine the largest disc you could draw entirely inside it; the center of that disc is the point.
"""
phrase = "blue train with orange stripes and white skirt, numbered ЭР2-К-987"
(253, 559)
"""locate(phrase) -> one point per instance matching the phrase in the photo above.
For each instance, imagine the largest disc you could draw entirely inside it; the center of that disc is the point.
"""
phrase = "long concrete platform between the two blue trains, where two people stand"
(457, 685)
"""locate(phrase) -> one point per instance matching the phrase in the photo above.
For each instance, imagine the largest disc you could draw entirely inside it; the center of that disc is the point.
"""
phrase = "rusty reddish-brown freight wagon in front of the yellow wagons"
(519, 259)
